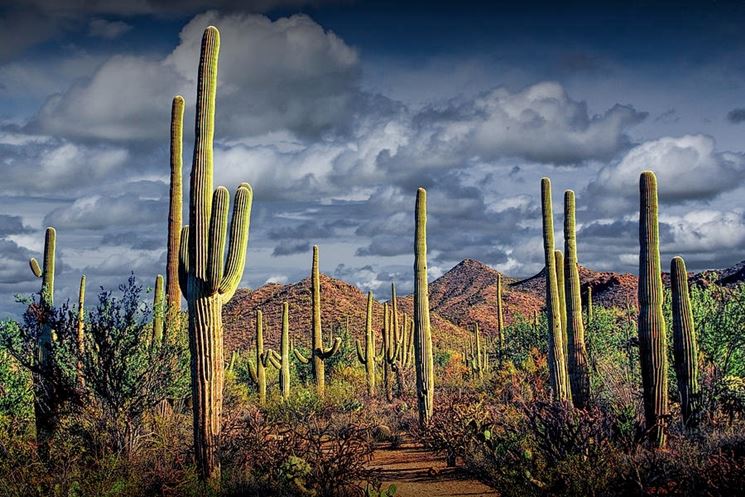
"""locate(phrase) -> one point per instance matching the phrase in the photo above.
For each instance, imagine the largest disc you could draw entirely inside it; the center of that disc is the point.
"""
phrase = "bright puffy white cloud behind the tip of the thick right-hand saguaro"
(687, 168)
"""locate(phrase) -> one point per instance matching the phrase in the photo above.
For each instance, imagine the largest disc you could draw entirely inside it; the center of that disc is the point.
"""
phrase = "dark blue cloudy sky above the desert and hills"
(336, 111)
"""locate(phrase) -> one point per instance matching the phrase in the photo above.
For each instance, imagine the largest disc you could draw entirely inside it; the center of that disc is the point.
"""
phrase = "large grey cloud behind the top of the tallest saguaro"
(288, 74)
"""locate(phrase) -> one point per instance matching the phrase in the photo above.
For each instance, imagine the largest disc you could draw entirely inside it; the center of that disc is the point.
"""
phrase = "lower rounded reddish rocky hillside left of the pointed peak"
(339, 301)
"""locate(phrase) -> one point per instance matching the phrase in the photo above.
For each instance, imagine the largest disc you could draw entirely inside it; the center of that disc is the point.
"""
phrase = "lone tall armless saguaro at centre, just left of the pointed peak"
(425, 375)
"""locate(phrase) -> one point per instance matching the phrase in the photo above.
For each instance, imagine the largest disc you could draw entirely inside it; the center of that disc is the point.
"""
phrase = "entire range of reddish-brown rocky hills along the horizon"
(463, 296)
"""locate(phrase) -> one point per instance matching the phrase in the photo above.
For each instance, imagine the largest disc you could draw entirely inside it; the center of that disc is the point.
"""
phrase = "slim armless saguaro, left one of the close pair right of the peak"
(556, 359)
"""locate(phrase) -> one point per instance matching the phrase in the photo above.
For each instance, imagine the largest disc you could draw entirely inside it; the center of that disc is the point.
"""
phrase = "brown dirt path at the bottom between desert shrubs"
(417, 472)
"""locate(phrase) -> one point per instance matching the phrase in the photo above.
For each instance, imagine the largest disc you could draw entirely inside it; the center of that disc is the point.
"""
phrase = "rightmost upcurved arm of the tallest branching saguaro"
(239, 230)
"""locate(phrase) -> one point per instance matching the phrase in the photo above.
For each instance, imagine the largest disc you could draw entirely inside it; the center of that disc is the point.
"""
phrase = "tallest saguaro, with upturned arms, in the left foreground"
(206, 283)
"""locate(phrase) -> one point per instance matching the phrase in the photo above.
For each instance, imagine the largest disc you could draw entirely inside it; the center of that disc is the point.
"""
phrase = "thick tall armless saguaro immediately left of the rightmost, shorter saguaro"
(652, 339)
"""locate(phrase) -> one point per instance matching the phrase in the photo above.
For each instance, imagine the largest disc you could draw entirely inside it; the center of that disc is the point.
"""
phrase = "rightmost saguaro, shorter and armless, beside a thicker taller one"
(685, 347)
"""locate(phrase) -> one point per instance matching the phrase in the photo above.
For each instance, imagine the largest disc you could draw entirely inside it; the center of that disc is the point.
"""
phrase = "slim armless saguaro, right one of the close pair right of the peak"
(577, 358)
